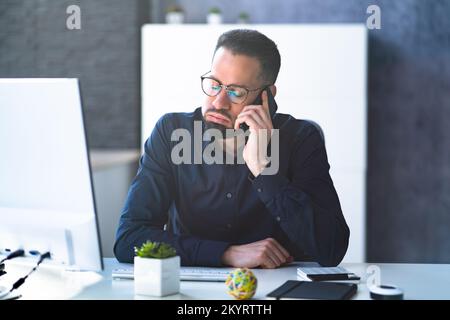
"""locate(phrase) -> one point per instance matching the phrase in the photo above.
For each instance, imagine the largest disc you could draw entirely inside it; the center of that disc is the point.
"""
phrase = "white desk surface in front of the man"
(419, 281)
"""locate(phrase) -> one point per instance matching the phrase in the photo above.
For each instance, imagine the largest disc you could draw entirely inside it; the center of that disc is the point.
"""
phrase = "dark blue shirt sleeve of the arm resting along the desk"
(146, 208)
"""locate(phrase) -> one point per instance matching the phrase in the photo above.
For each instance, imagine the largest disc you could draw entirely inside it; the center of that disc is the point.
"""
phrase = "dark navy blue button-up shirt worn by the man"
(202, 209)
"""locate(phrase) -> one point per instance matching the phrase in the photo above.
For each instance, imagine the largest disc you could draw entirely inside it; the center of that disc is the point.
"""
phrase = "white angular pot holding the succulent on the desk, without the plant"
(156, 277)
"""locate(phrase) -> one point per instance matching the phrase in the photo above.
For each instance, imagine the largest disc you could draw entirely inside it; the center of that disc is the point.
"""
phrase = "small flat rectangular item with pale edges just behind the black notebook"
(327, 274)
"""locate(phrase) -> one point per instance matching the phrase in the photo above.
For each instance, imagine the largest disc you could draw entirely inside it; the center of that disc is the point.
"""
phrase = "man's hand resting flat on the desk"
(266, 253)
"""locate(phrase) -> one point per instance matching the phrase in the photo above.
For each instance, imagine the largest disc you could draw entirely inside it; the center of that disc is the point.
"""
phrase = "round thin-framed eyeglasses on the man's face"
(237, 94)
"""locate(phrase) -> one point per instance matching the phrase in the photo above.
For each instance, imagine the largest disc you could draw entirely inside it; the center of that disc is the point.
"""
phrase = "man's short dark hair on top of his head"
(253, 44)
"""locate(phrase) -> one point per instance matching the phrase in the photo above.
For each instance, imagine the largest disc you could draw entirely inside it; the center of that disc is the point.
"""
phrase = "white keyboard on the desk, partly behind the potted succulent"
(186, 273)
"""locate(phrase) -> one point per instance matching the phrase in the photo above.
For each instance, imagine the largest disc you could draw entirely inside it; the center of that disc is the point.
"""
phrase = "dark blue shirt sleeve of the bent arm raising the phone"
(306, 204)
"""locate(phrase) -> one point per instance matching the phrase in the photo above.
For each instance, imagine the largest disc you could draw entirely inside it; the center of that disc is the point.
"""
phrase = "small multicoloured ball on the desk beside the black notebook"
(241, 284)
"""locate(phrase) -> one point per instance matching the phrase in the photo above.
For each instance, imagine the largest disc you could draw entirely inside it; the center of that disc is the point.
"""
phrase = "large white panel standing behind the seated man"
(323, 78)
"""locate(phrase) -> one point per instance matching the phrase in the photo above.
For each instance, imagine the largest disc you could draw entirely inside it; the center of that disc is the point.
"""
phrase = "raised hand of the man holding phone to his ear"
(260, 125)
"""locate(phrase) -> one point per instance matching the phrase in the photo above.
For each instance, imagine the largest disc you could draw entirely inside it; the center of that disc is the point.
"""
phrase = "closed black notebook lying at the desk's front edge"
(293, 289)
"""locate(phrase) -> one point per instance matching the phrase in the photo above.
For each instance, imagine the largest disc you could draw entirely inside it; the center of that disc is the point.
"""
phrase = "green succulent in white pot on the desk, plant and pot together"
(156, 269)
